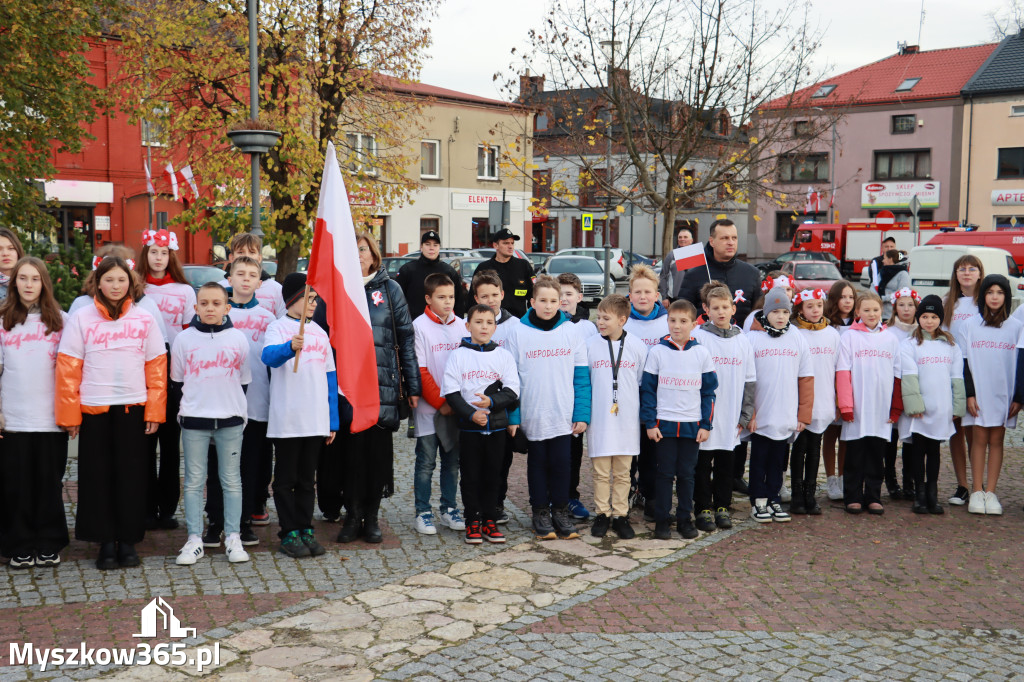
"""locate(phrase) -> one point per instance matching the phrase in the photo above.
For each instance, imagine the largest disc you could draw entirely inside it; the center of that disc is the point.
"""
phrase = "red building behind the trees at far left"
(103, 190)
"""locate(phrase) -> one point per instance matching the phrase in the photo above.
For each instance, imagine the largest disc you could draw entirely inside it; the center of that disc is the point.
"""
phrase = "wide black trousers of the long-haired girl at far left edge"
(31, 497)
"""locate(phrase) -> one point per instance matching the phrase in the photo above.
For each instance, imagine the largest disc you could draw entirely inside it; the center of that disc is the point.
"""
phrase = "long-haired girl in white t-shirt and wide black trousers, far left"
(33, 528)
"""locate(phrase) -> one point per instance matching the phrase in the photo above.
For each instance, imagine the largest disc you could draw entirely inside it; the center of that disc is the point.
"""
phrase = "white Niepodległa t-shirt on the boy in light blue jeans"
(214, 367)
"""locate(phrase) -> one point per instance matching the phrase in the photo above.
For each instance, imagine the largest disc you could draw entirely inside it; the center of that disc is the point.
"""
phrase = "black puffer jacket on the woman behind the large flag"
(380, 321)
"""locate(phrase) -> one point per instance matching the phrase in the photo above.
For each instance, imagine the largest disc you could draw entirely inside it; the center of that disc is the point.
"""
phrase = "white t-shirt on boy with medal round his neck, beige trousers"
(615, 434)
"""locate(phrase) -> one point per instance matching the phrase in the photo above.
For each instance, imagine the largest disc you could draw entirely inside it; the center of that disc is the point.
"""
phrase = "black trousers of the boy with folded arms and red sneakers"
(481, 460)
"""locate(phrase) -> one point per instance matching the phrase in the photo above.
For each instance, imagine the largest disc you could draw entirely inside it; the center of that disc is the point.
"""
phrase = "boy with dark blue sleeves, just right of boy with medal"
(677, 403)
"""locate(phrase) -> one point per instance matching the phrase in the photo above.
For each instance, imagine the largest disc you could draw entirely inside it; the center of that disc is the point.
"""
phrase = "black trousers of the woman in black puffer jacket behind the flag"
(368, 468)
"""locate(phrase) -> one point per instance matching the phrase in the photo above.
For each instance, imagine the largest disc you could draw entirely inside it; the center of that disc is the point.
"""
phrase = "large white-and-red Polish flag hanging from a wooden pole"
(337, 278)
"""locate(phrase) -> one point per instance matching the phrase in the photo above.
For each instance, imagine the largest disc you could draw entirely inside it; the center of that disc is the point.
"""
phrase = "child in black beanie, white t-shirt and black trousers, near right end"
(932, 382)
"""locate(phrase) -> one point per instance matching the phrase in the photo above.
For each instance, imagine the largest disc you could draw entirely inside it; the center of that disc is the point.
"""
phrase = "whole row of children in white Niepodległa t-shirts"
(666, 399)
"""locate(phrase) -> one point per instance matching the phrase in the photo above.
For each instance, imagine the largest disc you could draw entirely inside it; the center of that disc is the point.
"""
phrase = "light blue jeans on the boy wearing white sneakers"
(196, 444)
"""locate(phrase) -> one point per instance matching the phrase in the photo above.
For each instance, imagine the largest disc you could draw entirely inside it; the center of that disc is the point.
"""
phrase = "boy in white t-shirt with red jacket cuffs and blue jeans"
(439, 332)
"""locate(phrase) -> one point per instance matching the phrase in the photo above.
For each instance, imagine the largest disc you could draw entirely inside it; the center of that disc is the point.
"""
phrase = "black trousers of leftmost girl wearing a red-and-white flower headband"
(163, 489)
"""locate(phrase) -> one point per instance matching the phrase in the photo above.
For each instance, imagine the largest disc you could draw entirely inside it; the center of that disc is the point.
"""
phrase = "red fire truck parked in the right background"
(856, 244)
